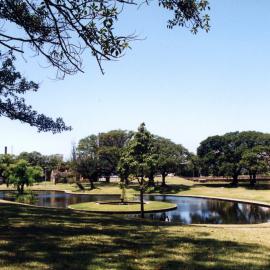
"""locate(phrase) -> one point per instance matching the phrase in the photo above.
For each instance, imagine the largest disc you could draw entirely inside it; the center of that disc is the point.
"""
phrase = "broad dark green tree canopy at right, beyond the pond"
(235, 153)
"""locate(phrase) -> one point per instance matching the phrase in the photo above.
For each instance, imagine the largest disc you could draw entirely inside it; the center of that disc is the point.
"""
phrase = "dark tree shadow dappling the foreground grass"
(62, 239)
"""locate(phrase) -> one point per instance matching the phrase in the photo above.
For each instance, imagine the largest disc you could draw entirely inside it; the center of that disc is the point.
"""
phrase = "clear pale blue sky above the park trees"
(184, 87)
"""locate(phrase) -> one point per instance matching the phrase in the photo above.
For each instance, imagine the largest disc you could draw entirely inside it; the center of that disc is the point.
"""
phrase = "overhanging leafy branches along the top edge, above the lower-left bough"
(60, 30)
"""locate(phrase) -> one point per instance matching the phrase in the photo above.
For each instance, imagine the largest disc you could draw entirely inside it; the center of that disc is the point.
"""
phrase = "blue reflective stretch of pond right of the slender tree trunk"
(198, 210)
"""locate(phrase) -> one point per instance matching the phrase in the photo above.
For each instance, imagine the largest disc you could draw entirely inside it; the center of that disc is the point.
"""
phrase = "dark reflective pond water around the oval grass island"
(189, 209)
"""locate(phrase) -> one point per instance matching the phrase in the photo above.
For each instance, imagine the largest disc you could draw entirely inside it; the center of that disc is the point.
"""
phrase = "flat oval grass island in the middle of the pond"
(148, 207)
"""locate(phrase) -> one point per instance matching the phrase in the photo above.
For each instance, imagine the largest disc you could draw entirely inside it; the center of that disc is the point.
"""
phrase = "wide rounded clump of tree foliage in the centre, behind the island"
(113, 154)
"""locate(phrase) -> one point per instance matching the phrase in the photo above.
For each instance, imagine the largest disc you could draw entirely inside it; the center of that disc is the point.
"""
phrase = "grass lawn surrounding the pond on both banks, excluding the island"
(33, 238)
